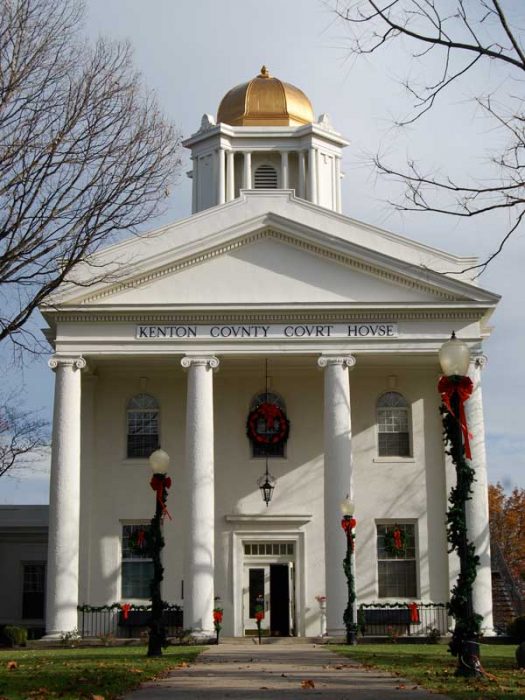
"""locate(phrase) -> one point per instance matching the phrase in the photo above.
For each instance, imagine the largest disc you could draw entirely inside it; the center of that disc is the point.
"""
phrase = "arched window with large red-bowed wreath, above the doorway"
(271, 428)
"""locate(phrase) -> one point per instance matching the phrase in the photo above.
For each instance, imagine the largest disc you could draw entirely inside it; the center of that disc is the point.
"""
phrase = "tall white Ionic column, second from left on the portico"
(200, 497)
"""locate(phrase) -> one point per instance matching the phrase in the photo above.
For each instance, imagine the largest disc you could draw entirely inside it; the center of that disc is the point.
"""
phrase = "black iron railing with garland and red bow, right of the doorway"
(403, 620)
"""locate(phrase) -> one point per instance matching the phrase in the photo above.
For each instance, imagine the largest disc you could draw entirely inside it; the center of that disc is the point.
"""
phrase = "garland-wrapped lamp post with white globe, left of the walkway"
(160, 483)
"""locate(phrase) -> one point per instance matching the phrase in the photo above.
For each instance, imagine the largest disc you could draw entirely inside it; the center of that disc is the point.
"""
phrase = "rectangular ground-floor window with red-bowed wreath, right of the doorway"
(397, 575)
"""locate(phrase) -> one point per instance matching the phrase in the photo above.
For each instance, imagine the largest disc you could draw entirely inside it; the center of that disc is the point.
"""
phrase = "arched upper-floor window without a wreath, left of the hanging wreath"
(143, 425)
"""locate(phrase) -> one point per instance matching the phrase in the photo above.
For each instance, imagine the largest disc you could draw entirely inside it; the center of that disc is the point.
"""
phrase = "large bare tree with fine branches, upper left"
(84, 152)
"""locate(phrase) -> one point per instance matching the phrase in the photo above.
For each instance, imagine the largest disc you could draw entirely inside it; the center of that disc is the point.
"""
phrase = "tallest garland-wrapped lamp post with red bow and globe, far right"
(455, 388)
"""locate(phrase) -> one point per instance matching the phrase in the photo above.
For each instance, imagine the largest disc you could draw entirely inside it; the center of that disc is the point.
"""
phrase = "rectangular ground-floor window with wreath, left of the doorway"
(137, 566)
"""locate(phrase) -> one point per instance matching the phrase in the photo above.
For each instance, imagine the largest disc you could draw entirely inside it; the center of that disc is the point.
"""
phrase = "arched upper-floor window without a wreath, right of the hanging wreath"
(393, 425)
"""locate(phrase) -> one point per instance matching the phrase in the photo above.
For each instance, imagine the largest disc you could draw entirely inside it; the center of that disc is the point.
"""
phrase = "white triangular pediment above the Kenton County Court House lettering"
(236, 254)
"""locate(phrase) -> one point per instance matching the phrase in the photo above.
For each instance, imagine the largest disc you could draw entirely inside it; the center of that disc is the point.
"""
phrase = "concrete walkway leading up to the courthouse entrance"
(273, 671)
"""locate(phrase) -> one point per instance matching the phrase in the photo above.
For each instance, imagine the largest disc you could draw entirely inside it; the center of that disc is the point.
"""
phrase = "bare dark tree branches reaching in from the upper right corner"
(452, 39)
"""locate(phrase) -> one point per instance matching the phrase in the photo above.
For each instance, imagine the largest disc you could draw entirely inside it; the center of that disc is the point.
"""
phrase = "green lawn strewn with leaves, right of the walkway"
(431, 666)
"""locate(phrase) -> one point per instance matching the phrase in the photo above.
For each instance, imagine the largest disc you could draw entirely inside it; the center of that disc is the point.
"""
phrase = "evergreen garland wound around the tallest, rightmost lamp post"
(468, 623)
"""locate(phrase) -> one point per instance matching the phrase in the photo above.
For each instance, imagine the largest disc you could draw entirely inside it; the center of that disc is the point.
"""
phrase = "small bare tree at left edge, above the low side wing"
(23, 436)
